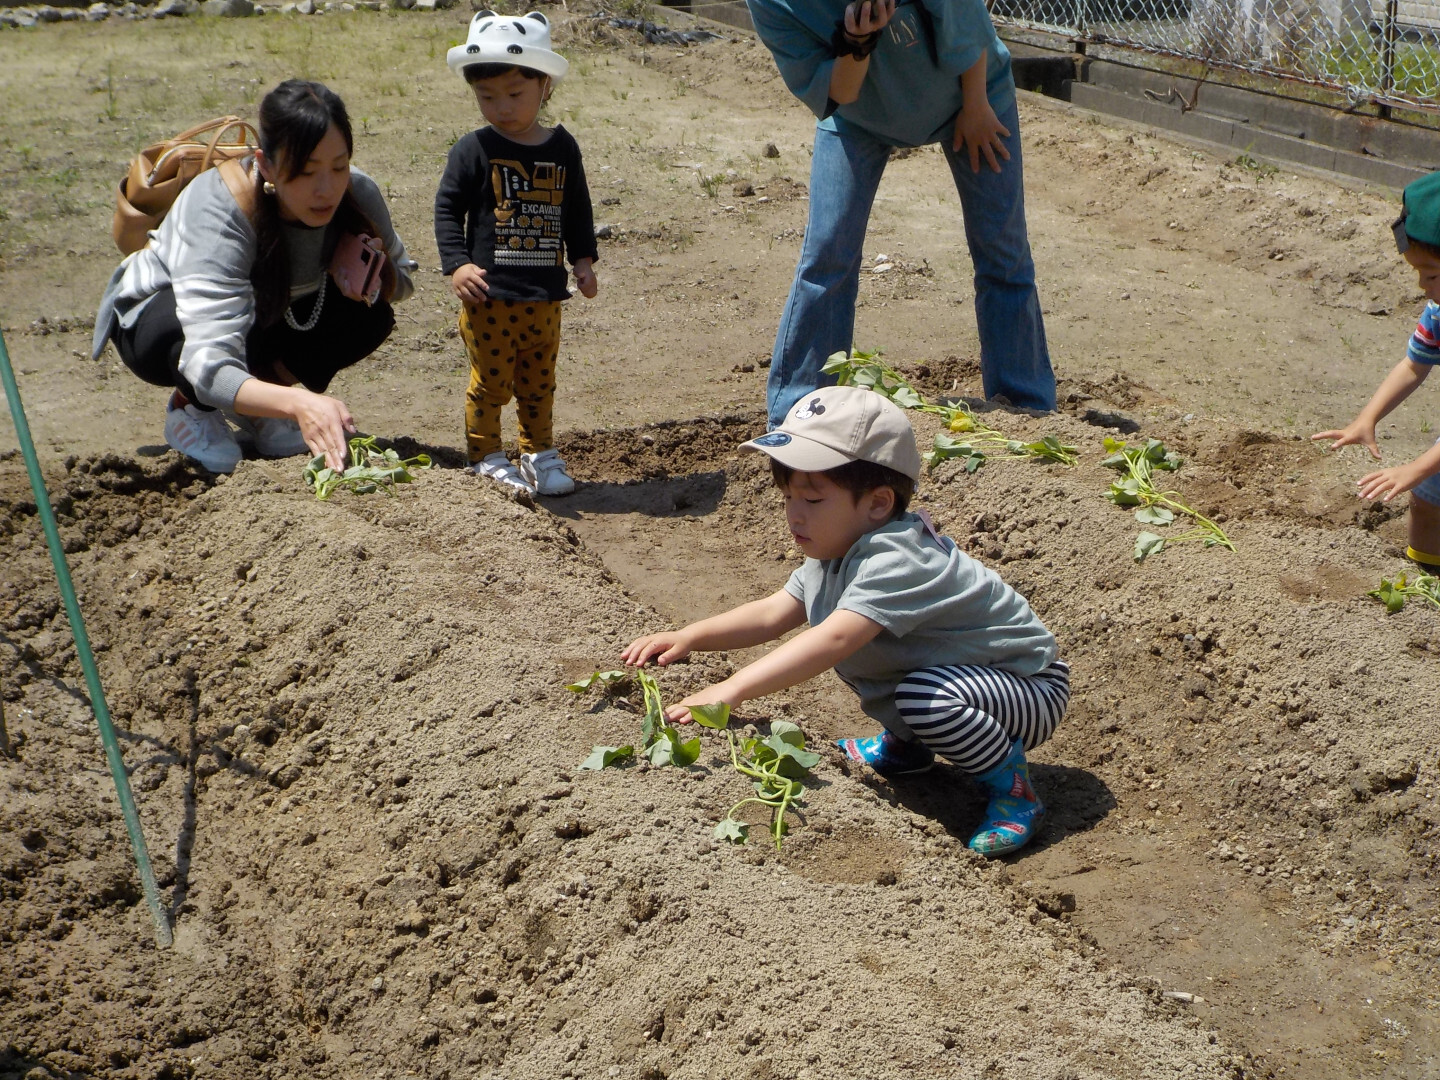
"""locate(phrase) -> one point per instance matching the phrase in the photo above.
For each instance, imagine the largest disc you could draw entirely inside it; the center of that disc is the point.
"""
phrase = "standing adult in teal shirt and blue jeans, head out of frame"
(883, 74)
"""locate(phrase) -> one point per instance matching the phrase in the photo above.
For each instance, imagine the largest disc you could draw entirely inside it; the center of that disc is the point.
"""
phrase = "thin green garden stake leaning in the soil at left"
(73, 610)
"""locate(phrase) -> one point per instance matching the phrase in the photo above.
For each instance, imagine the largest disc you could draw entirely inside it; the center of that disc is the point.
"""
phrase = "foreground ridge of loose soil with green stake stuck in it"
(358, 771)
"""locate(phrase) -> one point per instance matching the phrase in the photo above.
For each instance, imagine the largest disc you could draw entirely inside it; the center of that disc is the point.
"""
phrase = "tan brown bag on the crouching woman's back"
(159, 174)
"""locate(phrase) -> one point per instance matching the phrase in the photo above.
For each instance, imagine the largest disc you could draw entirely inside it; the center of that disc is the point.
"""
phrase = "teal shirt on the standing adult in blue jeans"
(912, 91)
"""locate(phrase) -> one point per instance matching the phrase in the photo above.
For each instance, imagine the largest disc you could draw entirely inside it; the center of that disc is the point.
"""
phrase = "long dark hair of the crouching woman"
(294, 117)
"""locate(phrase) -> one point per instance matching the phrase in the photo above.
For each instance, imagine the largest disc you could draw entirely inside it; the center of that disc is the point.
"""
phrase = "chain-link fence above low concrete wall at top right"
(1383, 53)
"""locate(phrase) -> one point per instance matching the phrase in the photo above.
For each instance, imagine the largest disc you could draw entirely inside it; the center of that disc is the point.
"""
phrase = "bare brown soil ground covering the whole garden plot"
(346, 721)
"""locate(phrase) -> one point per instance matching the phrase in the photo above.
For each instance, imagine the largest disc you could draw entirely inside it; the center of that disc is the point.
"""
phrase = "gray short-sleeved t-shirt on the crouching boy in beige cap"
(935, 606)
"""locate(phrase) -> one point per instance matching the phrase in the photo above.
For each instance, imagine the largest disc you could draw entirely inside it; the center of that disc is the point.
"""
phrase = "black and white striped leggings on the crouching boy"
(971, 715)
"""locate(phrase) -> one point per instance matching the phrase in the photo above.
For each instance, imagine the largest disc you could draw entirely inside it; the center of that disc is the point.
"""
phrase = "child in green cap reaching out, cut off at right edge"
(1418, 237)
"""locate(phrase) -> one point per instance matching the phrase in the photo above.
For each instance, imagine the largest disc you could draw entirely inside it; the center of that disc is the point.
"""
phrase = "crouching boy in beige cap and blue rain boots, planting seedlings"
(944, 654)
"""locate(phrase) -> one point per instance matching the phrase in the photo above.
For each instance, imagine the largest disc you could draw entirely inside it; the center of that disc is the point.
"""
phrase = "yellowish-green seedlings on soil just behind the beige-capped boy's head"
(866, 369)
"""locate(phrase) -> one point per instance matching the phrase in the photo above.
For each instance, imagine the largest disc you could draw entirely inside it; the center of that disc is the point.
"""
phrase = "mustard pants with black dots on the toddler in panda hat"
(513, 346)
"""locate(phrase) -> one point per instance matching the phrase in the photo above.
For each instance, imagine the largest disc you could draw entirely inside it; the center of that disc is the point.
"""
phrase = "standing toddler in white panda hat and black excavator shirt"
(512, 205)
